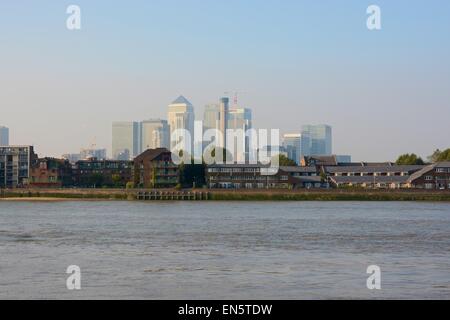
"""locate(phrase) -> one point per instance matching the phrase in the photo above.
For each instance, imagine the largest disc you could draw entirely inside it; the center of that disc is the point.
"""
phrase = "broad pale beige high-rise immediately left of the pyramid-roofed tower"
(155, 134)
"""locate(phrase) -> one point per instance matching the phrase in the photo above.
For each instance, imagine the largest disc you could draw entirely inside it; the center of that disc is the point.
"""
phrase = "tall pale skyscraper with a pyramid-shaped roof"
(181, 117)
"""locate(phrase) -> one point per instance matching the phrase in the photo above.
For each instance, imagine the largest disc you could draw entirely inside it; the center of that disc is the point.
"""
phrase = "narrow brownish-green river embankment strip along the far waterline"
(59, 195)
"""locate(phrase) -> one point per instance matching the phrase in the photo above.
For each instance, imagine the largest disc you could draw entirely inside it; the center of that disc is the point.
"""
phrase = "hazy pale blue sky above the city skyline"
(384, 92)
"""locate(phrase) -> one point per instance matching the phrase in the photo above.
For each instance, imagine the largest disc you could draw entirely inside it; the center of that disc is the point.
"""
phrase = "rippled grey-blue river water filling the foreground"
(224, 250)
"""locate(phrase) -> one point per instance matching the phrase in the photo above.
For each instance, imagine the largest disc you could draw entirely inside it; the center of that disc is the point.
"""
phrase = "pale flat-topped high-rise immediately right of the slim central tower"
(240, 119)
